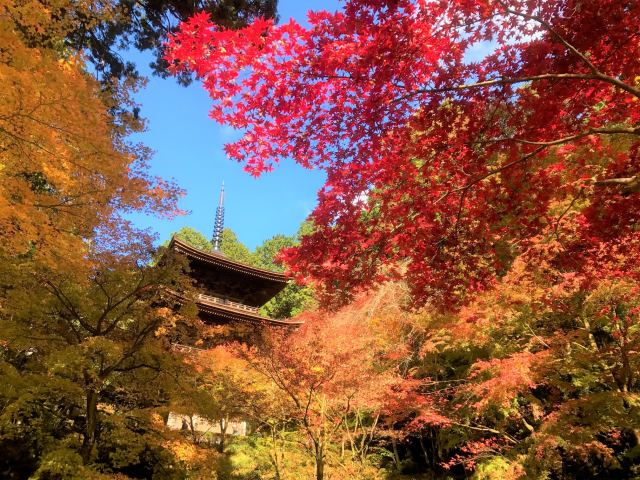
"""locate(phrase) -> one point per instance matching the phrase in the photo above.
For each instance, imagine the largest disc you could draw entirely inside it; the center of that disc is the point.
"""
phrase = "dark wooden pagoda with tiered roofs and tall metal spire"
(228, 290)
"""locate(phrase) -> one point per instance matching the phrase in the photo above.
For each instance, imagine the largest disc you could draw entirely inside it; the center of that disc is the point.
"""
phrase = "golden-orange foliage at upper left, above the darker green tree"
(65, 159)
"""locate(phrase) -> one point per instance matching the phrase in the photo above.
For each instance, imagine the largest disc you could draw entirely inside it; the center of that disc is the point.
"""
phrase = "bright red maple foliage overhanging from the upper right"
(441, 164)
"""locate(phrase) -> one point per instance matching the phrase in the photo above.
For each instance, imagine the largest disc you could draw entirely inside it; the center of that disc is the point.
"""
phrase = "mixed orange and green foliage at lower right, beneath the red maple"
(538, 376)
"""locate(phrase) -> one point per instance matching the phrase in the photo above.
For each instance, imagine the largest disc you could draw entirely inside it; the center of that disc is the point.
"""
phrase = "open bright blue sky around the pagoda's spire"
(189, 148)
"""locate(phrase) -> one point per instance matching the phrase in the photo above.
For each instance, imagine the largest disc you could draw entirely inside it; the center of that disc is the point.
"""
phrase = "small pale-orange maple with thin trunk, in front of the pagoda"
(328, 374)
